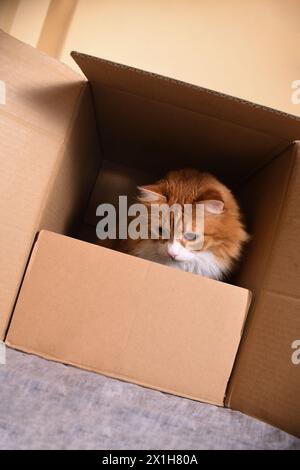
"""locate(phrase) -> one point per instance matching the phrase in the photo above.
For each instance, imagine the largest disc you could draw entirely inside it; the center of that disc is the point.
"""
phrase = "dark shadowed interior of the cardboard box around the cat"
(136, 154)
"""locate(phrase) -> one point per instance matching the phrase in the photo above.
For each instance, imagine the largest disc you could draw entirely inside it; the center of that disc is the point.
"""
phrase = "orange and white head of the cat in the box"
(222, 233)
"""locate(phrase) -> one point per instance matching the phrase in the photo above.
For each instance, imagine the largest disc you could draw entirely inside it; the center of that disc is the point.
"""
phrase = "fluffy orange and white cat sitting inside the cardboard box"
(224, 234)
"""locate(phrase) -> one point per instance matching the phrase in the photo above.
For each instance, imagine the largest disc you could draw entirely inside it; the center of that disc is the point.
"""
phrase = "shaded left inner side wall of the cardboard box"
(75, 174)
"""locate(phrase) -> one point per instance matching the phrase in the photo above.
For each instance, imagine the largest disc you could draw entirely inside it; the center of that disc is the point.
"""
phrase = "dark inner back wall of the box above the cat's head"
(157, 137)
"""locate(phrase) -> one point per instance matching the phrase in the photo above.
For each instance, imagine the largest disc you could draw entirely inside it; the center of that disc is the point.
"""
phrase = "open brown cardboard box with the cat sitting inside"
(68, 144)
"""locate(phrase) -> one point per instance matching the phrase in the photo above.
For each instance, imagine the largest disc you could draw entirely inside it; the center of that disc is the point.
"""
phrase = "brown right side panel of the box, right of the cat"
(265, 382)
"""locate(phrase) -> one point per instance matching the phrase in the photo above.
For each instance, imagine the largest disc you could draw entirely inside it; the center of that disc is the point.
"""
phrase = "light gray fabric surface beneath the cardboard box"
(45, 405)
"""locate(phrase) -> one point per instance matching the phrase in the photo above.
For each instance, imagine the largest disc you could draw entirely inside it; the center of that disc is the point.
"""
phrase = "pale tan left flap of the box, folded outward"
(42, 98)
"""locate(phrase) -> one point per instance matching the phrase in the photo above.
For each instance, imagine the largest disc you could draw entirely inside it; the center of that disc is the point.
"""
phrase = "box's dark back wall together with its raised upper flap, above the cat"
(154, 120)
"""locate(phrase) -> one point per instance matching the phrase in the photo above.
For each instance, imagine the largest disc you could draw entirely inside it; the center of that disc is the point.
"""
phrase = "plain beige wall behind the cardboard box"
(248, 48)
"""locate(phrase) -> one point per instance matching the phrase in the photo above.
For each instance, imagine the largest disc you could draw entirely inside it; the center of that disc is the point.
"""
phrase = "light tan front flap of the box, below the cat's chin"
(115, 314)
